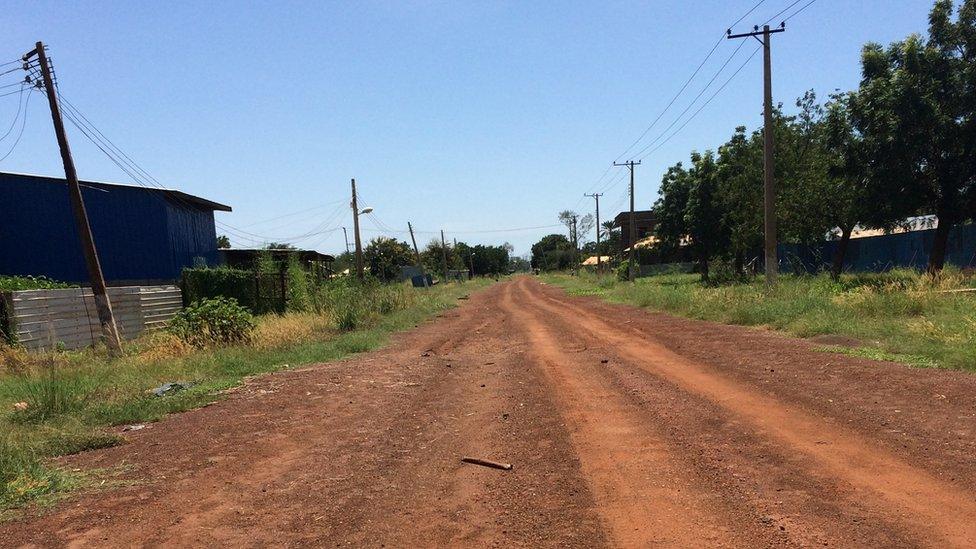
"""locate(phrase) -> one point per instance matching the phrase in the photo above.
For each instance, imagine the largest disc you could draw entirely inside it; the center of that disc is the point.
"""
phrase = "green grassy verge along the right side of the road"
(900, 315)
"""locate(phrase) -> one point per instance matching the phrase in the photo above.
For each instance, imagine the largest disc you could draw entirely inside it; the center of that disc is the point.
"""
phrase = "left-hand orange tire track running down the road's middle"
(644, 496)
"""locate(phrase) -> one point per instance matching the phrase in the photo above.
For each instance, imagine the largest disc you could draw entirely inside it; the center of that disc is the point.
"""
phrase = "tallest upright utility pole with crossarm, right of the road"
(769, 183)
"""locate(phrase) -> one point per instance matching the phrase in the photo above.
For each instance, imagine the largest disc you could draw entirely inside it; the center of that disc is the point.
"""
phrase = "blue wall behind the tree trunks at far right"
(881, 253)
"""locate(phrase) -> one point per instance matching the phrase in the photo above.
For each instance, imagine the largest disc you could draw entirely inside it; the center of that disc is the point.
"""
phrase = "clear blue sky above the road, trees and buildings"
(460, 116)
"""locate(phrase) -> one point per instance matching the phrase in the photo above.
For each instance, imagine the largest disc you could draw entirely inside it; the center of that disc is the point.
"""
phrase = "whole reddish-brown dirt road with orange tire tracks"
(626, 428)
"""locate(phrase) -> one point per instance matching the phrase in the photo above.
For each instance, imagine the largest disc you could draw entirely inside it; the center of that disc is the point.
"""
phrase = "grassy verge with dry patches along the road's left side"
(73, 398)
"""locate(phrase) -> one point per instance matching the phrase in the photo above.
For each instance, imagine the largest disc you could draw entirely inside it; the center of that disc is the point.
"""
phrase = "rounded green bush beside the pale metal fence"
(216, 321)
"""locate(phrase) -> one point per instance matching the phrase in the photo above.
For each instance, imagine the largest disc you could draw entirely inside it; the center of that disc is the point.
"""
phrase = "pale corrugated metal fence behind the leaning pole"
(42, 318)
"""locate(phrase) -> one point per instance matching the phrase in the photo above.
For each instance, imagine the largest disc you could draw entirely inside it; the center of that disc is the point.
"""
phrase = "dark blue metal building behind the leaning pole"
(142, 234)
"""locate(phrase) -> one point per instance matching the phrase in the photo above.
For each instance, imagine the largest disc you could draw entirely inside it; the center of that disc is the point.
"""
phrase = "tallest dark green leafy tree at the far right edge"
(916, 108)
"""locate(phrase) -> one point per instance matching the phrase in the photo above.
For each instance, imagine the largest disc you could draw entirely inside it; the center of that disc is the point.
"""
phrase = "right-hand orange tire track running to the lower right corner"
(882, 481)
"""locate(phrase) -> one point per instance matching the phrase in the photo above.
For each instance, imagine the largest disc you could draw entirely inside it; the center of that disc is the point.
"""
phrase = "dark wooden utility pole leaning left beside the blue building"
(103, 304)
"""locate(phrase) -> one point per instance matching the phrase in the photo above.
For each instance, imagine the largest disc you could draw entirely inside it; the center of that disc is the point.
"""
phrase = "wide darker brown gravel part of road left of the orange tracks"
(364, 451)
